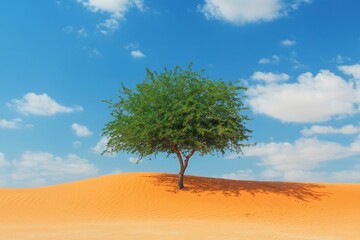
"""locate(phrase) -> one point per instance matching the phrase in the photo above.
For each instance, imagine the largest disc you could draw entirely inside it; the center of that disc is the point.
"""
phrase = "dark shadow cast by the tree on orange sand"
(205, 186)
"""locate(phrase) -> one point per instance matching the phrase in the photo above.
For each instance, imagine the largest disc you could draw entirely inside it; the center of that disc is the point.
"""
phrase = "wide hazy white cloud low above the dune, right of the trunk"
(298, 160)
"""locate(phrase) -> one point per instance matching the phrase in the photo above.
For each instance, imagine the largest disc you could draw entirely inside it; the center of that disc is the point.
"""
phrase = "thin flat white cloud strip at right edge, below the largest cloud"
(316, 129)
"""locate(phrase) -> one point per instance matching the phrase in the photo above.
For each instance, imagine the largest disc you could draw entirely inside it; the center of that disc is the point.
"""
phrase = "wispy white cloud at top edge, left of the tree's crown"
(116, 8)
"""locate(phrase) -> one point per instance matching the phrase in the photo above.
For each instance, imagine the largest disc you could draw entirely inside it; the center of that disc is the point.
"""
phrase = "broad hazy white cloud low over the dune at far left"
(43, 168)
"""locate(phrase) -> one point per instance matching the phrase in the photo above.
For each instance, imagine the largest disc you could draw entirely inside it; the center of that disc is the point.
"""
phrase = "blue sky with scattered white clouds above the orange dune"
(300, 60)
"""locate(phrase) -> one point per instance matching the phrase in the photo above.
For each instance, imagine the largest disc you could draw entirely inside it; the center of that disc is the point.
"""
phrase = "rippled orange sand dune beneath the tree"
(148, 206)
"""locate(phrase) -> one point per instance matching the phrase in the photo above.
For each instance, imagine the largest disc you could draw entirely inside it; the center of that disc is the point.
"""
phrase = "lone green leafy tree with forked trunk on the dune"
(178, 112)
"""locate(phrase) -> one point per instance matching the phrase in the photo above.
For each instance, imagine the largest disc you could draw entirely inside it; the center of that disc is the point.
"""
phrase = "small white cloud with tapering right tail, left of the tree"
(41, 104)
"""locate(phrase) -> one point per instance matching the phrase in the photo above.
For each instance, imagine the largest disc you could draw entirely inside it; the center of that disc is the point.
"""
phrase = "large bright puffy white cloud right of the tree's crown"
(310, 99)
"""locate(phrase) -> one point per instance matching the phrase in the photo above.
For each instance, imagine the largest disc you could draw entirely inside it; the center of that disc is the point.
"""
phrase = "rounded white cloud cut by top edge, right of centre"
(247, 11)
